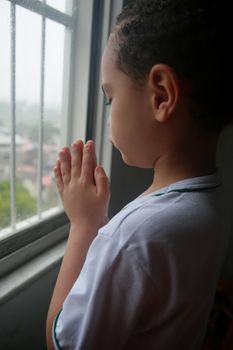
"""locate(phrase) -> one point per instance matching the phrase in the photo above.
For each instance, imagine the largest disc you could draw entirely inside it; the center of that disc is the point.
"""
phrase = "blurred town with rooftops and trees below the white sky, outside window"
(27, 150)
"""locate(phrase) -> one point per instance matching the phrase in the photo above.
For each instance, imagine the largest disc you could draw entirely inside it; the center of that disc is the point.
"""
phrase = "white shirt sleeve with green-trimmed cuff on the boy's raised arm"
(104, 304)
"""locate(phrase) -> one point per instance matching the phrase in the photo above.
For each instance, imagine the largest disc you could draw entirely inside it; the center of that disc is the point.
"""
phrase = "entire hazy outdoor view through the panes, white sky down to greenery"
(32, 74)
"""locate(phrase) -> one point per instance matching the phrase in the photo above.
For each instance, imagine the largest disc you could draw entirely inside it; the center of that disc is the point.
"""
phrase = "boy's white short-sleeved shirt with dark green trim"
(150, 275)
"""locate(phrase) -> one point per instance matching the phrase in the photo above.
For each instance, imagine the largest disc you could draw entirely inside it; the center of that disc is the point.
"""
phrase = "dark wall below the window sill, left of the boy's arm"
(23, 317)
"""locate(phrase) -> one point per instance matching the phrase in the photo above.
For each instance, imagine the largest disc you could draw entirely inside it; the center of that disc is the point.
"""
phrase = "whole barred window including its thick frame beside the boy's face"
(50, 95)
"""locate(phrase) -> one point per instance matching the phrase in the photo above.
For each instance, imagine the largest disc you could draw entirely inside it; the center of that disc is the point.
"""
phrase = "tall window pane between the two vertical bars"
(28, 63)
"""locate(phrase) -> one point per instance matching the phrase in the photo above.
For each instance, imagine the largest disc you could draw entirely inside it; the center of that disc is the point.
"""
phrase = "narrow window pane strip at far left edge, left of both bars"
(5, 138)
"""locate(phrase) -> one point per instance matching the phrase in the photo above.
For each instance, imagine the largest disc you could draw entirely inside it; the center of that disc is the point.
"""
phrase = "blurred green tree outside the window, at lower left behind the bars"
(25, 203)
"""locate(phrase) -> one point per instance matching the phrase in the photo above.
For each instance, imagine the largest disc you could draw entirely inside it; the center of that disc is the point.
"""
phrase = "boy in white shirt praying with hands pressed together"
(147, 278)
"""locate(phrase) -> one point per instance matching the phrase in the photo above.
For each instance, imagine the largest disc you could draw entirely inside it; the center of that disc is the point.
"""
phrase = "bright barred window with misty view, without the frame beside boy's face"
(34, 72)
